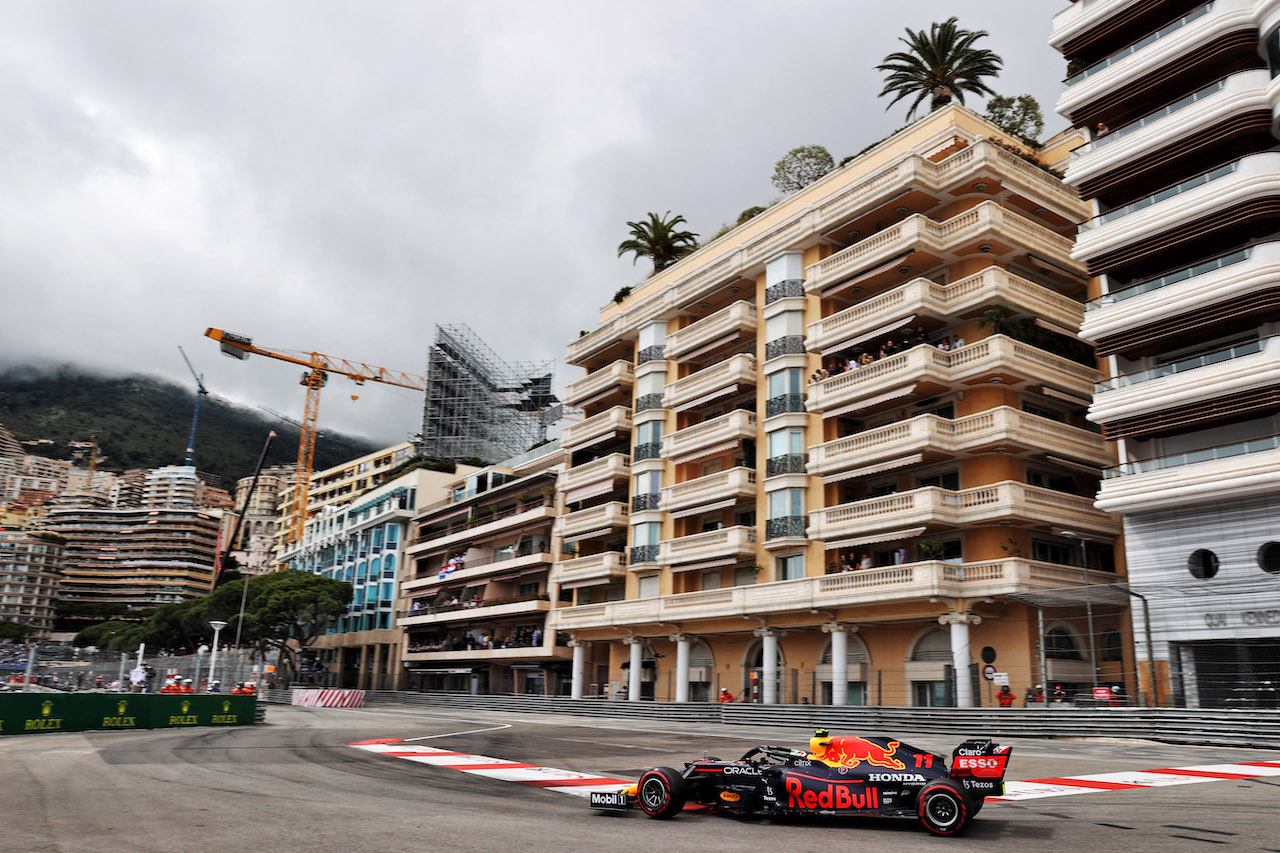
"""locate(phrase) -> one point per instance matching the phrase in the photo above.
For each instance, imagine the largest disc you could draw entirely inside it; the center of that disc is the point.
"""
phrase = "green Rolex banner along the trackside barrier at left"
(38, 713)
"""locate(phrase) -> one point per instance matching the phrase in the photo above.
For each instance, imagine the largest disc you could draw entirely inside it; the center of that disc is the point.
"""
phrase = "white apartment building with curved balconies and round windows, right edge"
(1183, 174)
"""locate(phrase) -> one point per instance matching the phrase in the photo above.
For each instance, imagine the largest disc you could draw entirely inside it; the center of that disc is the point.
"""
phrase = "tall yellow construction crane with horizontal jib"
(319, 367)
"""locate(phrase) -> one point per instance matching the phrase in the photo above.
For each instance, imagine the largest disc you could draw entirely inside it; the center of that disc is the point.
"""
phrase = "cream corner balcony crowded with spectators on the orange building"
(996, 358)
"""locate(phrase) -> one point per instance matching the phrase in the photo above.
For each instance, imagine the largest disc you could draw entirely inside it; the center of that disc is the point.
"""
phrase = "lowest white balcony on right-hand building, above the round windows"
(1200, 477)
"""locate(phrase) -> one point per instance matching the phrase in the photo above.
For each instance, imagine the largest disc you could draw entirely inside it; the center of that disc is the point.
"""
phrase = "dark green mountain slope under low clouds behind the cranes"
(143, 422)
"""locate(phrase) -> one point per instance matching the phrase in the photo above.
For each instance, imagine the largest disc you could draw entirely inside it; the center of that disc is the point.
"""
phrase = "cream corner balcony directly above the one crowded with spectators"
(944, 302)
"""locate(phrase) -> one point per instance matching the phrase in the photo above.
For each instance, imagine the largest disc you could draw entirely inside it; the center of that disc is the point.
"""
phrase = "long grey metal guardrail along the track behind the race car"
(1171, 726)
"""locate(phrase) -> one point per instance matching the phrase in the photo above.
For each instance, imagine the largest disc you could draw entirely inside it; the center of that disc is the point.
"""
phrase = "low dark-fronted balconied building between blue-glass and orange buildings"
(478, 587)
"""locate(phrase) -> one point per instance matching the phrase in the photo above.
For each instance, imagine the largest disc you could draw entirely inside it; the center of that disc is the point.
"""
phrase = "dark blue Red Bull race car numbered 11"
(842, 777)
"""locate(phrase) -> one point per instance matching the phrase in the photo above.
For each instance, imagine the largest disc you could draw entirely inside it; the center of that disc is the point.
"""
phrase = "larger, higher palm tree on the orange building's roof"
(939, 65)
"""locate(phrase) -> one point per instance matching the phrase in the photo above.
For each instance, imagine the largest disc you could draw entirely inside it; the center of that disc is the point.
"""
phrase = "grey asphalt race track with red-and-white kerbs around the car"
(390, 781)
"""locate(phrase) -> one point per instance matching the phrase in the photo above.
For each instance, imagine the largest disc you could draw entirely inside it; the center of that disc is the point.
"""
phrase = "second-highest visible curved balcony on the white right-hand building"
(1159, 51)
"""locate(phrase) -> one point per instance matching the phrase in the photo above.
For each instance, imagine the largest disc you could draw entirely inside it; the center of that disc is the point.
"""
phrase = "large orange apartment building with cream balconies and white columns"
(836, 454)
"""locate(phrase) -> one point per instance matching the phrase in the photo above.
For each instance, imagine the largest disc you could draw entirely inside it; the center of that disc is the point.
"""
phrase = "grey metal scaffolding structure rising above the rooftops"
(478, 407)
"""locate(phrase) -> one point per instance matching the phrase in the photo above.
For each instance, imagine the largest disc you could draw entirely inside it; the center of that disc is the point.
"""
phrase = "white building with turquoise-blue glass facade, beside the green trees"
(364, 542)
